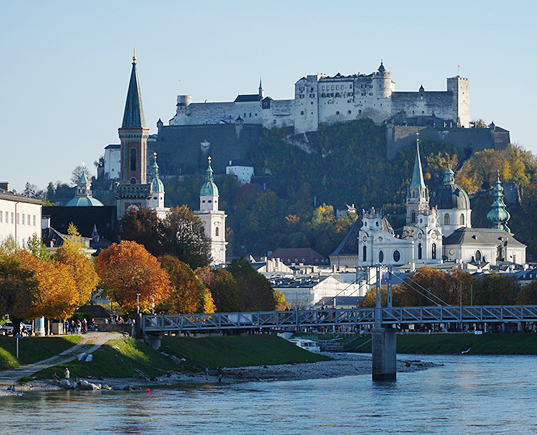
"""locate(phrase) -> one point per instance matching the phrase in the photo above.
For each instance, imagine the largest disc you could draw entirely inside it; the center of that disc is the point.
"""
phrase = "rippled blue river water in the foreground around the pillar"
(467, 395)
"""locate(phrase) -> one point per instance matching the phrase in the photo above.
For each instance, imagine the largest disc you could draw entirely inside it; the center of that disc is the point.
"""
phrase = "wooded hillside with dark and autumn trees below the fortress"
(299, 184)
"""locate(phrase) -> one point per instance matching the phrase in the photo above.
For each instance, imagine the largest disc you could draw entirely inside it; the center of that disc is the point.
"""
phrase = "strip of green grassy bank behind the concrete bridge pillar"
(486, 344)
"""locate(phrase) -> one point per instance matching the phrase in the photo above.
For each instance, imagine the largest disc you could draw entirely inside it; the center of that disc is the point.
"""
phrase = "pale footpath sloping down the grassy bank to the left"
(90, 342)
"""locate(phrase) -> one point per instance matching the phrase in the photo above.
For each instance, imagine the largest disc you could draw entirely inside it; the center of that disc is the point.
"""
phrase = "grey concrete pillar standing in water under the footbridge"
(384, 354)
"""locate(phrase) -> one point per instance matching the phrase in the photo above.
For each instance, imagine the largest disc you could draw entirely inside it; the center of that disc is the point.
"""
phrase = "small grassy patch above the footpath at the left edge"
(32, 349)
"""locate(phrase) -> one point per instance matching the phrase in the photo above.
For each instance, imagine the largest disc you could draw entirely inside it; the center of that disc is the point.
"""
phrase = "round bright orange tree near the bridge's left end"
(131, 275)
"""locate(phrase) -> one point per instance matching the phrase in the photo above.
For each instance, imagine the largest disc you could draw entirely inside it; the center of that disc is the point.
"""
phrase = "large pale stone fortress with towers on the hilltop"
(320, 99)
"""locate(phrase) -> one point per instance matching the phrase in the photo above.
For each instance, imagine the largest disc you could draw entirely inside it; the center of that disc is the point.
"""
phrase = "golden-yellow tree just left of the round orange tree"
(72, 253)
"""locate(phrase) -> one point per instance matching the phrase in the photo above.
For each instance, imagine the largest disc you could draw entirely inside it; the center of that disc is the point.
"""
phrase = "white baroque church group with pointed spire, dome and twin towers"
(438, 230)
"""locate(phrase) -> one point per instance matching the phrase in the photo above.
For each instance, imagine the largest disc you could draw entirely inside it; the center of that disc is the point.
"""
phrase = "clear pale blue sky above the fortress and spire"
(65, 65)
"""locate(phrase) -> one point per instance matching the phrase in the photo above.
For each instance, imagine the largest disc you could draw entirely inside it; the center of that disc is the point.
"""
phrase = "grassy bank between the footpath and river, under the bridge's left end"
(125, 358)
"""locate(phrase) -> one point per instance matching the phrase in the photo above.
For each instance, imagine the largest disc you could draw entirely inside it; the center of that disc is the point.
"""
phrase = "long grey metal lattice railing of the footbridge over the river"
(335, 317)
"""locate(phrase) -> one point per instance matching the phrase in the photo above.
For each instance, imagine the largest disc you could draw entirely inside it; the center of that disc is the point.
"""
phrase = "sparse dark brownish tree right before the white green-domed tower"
(185, 237)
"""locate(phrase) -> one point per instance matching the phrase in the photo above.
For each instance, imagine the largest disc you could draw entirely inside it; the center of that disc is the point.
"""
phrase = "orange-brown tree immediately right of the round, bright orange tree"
(187, 295)
